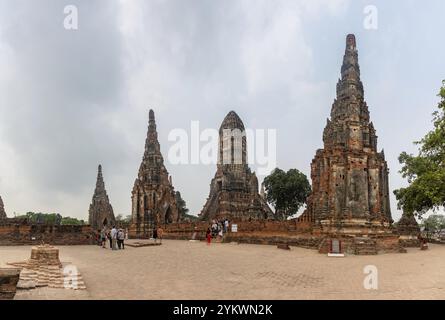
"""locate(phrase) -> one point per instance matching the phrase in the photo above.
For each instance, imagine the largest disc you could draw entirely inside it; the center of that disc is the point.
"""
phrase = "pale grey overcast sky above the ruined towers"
(71, 99)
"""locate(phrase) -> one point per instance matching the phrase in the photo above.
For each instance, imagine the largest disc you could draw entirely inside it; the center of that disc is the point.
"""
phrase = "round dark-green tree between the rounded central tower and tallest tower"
(286, 191)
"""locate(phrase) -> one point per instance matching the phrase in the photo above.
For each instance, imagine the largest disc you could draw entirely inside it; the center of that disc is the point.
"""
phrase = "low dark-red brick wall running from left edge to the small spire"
(22, 234)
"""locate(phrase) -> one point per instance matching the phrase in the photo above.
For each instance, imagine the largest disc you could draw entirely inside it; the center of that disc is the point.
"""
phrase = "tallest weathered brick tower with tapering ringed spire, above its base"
(349, 175)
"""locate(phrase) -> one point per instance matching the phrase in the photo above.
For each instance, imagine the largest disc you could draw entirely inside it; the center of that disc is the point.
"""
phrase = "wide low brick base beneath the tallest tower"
(359, 237)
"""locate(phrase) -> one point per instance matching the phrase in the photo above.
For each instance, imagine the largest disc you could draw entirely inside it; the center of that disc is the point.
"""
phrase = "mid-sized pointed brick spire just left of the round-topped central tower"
(153, 196)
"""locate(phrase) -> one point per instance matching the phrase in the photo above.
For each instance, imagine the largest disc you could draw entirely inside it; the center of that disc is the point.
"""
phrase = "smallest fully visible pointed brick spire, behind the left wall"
(100, 212)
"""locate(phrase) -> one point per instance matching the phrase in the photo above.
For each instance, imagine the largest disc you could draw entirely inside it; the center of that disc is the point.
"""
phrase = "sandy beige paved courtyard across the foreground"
(193, 270)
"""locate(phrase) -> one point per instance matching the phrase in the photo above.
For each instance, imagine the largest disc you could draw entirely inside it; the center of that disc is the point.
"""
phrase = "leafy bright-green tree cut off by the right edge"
(425, 172)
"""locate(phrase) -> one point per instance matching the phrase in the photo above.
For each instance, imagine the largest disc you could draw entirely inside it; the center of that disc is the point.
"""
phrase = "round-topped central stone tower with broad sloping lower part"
(234, 189)
